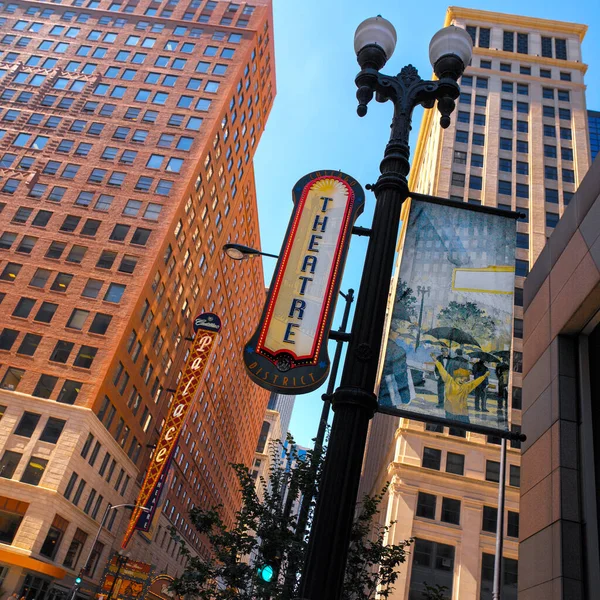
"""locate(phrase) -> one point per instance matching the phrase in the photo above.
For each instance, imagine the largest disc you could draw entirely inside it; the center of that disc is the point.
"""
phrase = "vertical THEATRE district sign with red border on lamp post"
(288, 351)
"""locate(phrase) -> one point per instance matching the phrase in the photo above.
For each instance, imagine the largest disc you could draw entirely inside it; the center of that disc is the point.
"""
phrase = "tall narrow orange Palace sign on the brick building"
(206, 328)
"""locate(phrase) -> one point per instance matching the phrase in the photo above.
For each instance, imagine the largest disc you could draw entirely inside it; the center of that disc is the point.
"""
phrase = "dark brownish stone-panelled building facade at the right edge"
(560, 493)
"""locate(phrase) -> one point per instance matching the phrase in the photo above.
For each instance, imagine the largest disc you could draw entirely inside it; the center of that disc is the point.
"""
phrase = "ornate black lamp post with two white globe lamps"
(354, 402)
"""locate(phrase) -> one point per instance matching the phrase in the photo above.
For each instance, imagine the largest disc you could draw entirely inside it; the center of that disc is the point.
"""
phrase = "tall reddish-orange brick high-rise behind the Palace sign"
(127, 136)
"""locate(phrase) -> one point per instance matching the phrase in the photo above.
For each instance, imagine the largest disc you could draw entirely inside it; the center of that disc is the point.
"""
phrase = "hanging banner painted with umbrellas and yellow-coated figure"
(448, 345)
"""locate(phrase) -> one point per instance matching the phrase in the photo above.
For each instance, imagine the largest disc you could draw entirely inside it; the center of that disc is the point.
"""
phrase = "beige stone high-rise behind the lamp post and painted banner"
(518, 141)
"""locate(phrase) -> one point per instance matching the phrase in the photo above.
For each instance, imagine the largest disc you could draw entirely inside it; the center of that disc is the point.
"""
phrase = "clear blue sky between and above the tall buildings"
(313, 124)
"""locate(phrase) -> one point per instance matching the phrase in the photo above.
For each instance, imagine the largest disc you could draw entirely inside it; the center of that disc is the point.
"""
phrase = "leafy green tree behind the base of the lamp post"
(264, 533)
